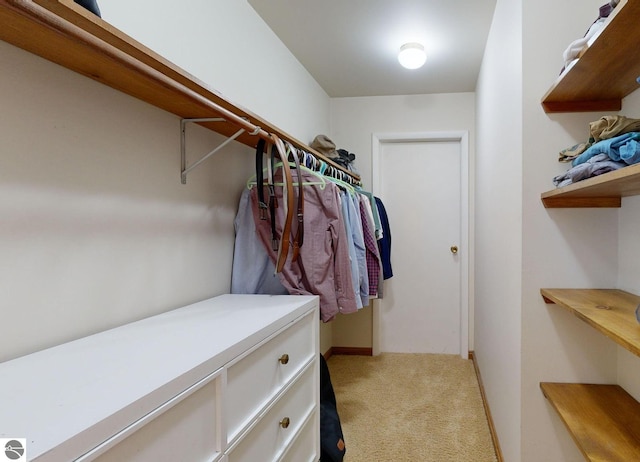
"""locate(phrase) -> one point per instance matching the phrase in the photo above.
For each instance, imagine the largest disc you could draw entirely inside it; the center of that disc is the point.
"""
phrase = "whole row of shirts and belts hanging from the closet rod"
(332, 246)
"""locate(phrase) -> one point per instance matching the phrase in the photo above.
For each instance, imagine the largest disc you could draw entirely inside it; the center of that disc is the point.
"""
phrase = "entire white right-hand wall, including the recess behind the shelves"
(520, 341)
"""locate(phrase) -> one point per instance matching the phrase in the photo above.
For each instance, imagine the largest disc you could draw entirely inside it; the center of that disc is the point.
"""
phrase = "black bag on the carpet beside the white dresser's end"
(332, 447)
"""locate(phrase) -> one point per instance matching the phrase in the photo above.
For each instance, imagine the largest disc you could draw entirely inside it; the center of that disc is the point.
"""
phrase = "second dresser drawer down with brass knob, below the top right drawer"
(267, 440)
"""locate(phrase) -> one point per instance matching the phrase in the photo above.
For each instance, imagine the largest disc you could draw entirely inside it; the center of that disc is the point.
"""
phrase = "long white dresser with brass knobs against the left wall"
(230, 379)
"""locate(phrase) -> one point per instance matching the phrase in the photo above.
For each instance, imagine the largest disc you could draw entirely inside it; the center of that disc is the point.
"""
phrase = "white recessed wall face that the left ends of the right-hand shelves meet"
(561, 247)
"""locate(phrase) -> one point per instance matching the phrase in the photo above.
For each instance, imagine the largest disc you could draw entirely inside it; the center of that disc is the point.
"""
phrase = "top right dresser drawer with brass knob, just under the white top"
(258, 376)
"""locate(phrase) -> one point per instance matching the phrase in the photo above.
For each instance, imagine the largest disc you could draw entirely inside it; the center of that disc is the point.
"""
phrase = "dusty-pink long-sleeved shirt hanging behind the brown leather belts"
(322, 267)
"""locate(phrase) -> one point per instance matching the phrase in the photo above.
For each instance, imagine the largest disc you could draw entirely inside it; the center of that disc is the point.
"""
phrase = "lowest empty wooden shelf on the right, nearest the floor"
(603, 420)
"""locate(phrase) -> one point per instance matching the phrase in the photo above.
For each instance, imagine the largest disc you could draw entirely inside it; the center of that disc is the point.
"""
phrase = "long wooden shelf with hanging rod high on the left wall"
(67, 34)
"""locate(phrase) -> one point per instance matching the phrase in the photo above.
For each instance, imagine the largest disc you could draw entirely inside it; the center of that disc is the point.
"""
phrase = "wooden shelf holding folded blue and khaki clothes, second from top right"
(600, 191)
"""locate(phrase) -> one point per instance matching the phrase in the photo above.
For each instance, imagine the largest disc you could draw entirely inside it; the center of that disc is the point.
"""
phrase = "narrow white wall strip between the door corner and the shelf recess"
(499, 224)
